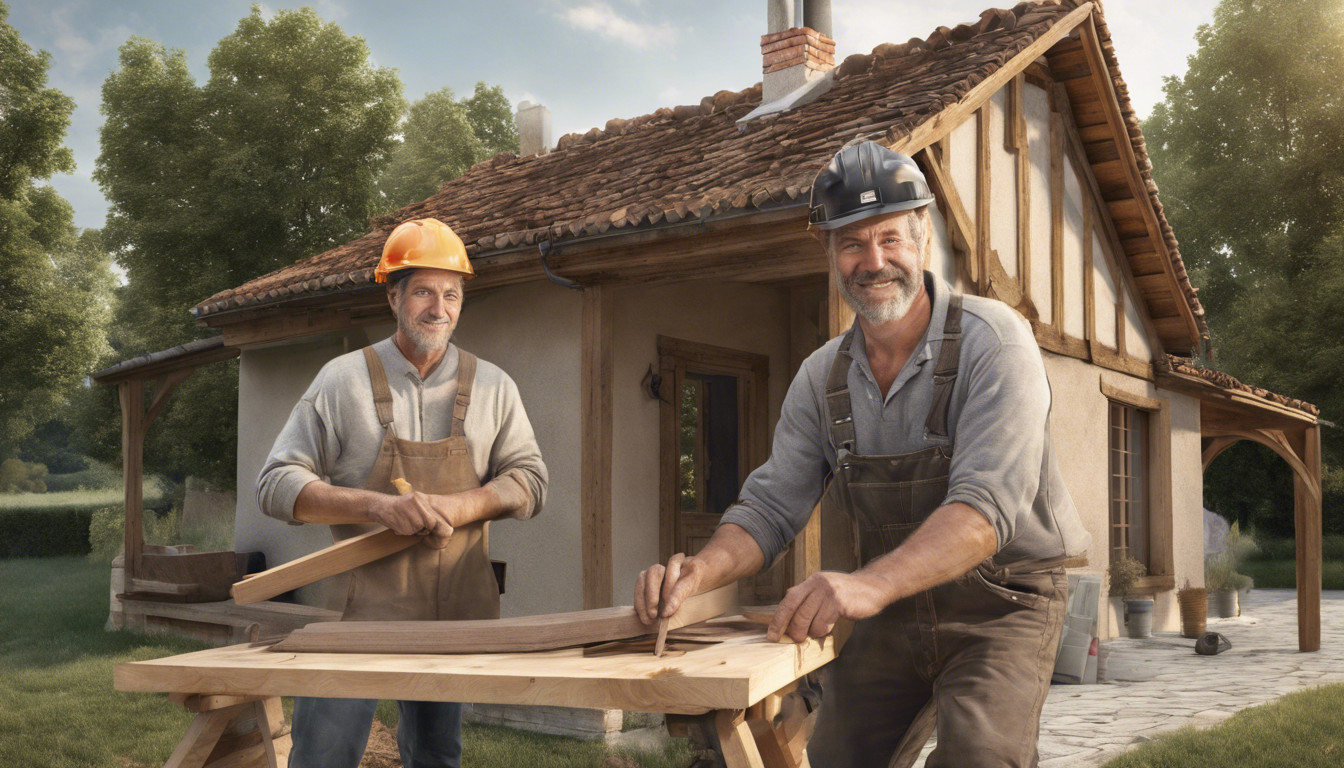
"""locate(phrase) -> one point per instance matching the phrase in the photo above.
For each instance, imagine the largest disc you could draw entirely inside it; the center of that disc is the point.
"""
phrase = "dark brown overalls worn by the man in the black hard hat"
(974, 656)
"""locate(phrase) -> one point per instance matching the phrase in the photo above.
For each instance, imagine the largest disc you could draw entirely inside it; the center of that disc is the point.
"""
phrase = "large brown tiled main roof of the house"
(694, 162)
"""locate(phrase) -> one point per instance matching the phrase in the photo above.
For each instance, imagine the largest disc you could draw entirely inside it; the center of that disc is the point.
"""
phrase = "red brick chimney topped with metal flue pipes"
(798, 49)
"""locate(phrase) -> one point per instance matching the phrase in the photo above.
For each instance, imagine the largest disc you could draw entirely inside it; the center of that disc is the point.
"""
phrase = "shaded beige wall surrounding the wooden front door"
(740, 317)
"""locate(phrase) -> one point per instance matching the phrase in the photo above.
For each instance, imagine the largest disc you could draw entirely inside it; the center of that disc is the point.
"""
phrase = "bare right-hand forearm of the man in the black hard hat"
(955, 540)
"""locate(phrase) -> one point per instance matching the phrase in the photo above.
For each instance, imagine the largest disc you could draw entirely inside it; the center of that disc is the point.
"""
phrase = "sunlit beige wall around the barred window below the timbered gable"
(1080, 420)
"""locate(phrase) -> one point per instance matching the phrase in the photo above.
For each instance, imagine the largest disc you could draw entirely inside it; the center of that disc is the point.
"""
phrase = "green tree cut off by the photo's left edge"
(53, 282)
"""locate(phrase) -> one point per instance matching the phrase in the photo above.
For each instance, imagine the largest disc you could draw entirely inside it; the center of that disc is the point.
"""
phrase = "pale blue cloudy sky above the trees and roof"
(588, 61)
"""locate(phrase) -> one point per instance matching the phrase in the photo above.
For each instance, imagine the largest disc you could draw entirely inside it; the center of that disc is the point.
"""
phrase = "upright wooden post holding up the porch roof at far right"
(1307, 512)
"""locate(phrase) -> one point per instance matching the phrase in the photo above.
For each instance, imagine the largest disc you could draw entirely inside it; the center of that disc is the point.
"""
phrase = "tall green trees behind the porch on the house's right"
(1248, 150)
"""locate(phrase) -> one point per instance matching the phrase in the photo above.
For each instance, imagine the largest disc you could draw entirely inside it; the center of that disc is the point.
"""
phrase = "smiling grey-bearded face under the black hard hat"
(878, 264)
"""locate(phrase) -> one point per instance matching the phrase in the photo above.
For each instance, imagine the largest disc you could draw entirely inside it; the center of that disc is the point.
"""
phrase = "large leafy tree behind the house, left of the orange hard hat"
(269, 162)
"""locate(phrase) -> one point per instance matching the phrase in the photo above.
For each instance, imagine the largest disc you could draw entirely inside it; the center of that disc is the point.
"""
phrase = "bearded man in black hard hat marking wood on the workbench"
(929, 424)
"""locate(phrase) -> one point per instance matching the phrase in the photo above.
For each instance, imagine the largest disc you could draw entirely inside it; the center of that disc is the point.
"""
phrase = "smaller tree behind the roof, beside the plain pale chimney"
(443, 138)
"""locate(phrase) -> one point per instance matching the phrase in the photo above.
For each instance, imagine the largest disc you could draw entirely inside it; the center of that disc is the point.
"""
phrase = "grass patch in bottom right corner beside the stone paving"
(1304, 730)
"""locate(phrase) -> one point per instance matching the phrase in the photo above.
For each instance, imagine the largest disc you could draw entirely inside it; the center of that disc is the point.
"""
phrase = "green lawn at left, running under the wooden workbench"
(58, 709)
